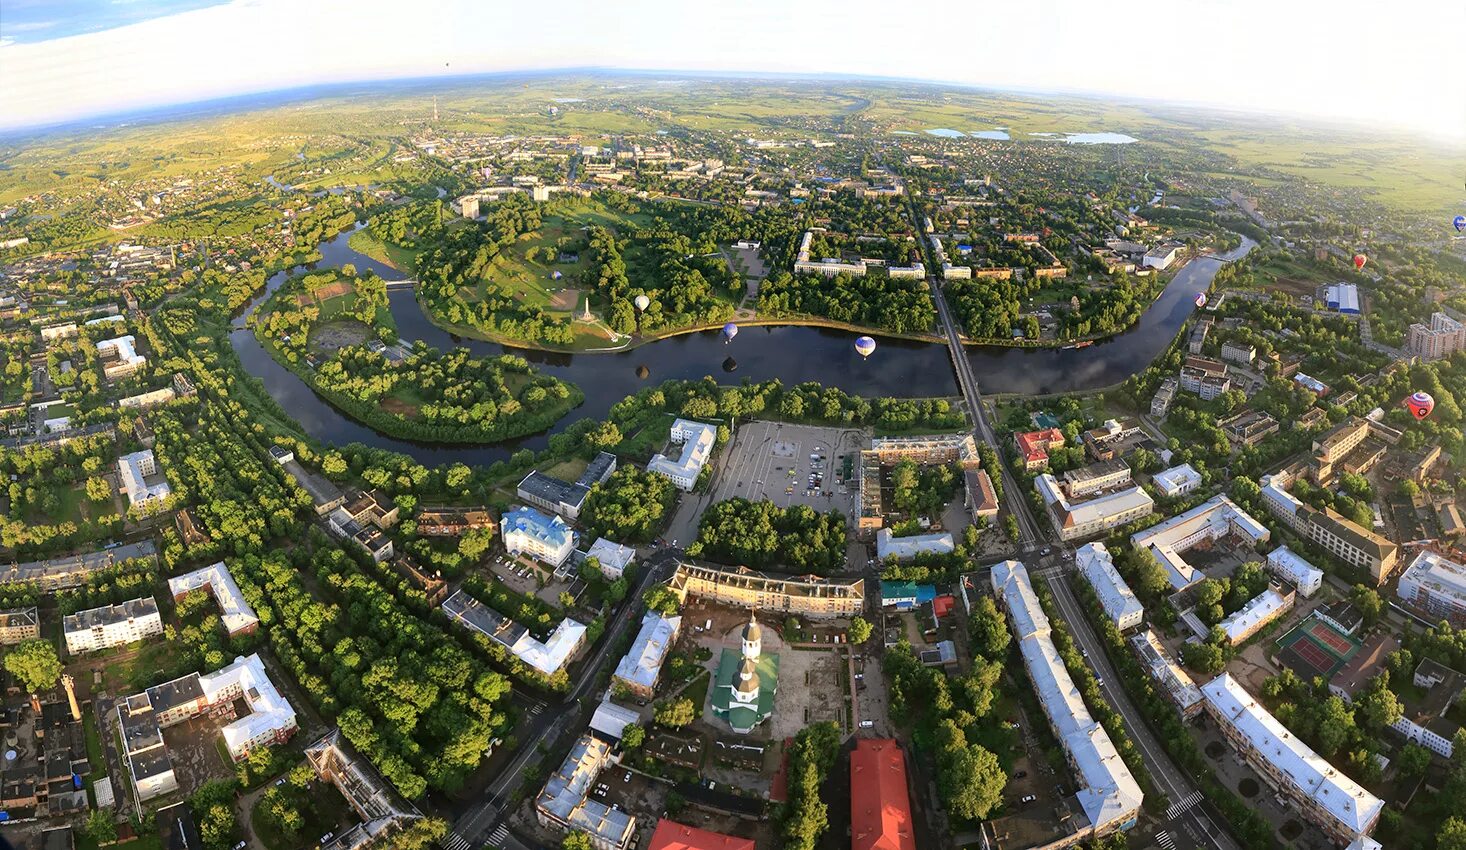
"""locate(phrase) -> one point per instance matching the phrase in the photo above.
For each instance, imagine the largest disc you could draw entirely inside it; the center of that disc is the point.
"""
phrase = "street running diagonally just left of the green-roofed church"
(548, 723)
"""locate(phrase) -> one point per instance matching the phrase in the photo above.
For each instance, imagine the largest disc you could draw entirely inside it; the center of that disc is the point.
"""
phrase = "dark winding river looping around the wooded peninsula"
(789, 354)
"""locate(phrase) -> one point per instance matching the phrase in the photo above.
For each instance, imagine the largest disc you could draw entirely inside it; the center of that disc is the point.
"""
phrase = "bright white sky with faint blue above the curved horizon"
(1389, 65)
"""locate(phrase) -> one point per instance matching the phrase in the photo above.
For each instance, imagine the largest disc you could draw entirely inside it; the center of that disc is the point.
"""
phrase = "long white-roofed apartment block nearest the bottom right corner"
(1320, 792)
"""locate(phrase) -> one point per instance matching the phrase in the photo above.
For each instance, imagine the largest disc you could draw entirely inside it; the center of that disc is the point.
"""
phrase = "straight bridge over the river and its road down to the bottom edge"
(1190, 814)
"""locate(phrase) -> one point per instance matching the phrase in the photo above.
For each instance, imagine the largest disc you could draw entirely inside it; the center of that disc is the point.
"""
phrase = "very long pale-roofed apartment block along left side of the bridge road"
(1109, 798)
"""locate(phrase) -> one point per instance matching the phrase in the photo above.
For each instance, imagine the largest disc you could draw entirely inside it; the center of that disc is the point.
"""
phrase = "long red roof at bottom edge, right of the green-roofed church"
(880, 808)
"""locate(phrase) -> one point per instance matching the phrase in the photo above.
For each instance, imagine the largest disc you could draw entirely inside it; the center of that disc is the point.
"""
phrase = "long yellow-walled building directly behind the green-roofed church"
(801, 596)
